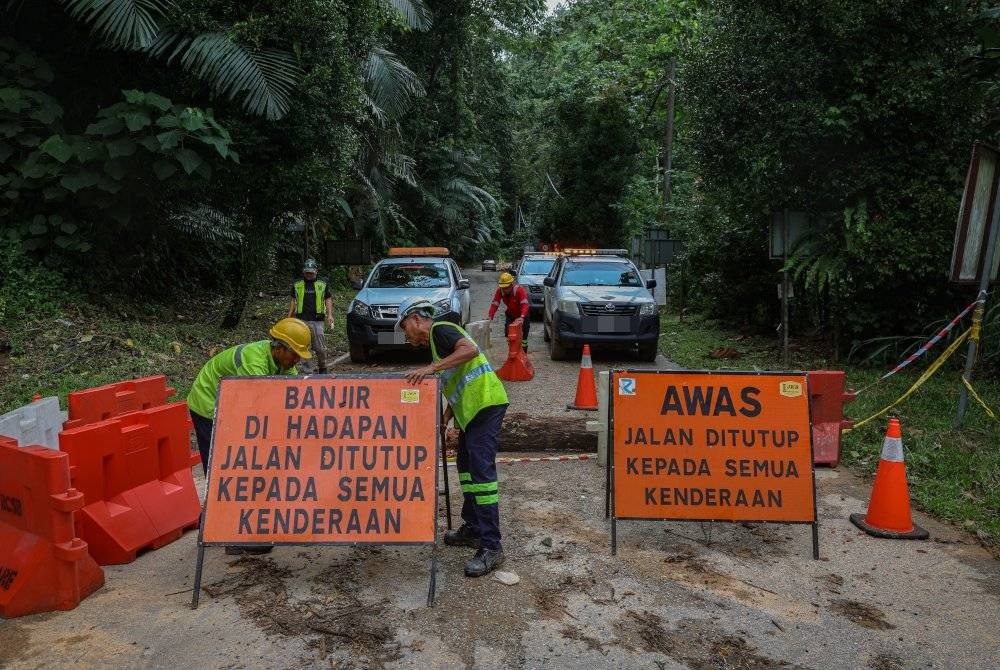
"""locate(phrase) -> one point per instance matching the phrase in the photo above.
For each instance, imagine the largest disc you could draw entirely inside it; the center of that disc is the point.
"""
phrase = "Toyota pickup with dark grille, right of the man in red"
(598, 297)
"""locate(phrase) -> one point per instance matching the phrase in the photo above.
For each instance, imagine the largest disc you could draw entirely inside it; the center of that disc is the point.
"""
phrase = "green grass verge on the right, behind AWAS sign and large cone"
(953, 474)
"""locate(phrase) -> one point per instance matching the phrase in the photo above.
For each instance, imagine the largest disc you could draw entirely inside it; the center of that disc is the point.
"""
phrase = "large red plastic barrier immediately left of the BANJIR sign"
(135, 472)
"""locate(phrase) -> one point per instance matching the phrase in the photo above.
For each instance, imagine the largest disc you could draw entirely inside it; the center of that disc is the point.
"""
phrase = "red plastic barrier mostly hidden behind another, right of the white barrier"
(106, 402)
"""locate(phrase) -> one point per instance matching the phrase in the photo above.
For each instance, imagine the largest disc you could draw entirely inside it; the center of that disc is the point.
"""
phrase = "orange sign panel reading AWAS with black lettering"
(711, 446)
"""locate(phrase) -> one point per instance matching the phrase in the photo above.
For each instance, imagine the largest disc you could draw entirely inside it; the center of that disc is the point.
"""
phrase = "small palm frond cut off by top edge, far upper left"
(127, 24)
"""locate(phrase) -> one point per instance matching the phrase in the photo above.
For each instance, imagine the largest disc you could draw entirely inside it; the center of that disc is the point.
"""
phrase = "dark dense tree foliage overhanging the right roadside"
(869, 131)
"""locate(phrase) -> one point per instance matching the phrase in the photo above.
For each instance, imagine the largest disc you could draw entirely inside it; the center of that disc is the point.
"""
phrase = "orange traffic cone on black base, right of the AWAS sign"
(889, 510)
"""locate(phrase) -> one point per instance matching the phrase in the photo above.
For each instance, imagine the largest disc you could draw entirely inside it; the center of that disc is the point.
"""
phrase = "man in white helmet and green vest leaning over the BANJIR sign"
(478, 401)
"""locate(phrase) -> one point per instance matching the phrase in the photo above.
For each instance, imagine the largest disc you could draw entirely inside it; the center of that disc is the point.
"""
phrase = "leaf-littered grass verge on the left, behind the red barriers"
(89, 346)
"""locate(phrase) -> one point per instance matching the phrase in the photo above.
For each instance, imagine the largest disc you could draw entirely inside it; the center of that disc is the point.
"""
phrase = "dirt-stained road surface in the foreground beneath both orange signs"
(676, 596)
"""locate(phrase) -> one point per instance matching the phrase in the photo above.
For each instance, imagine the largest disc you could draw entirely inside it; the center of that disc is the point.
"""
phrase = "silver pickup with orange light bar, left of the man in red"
(425, 272)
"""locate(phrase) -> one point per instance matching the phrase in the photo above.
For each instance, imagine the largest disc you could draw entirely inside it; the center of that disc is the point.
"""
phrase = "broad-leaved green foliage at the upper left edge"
(58, 184)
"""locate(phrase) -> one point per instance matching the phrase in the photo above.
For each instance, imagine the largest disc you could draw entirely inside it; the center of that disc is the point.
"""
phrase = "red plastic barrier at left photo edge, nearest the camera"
(43, 565)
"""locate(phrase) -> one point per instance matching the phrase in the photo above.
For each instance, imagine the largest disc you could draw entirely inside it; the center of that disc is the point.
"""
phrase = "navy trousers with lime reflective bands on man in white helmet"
(477, 472)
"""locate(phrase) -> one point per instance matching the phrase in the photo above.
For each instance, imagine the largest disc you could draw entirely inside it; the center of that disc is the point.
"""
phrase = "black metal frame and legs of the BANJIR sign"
(440, 467)
